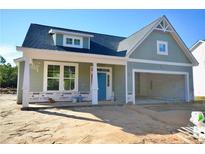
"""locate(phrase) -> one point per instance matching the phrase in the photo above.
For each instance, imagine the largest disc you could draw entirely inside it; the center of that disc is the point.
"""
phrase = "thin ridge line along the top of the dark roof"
(77, 30)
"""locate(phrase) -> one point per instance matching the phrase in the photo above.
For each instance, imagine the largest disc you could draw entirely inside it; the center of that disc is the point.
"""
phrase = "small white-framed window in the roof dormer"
(72, 41)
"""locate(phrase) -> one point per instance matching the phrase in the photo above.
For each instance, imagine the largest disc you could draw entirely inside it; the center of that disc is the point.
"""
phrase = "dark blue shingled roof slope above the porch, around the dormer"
(38, 37)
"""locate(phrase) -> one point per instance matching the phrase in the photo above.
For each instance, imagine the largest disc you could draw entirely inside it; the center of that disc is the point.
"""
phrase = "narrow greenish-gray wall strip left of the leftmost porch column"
(20, 82)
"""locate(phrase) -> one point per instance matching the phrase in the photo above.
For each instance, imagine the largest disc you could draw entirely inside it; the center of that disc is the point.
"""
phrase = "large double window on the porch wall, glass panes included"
(60, 76)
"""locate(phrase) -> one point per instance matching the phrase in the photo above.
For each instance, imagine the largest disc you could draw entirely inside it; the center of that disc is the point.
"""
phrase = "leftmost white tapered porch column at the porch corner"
(26, 83)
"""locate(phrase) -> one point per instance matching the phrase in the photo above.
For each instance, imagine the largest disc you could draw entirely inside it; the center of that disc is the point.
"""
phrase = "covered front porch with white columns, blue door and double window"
(69, 83)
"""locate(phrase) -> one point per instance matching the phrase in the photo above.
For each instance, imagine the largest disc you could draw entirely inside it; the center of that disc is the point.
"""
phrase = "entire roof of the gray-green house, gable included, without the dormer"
(38, 37)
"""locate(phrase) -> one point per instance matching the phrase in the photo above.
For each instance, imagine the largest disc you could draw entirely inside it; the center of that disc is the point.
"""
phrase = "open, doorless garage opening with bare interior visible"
(159, 87)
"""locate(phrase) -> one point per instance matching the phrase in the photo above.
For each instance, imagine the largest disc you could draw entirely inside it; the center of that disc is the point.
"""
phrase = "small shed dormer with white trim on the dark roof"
(70, 39)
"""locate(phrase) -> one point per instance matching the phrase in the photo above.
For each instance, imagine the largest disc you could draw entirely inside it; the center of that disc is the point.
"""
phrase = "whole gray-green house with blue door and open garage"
(65, 64)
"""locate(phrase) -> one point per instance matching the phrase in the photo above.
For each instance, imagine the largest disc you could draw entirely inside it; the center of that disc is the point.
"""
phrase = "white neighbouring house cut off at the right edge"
(198, 50)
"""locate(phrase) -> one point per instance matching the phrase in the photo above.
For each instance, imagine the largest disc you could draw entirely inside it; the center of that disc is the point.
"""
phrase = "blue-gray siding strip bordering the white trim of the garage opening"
(133, 65)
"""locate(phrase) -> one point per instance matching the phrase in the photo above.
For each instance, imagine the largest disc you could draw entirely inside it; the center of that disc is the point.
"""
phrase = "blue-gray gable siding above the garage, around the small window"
(148, 49)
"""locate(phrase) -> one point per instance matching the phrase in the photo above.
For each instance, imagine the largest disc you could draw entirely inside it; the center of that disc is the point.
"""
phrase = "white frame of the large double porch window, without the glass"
(61, 81)
